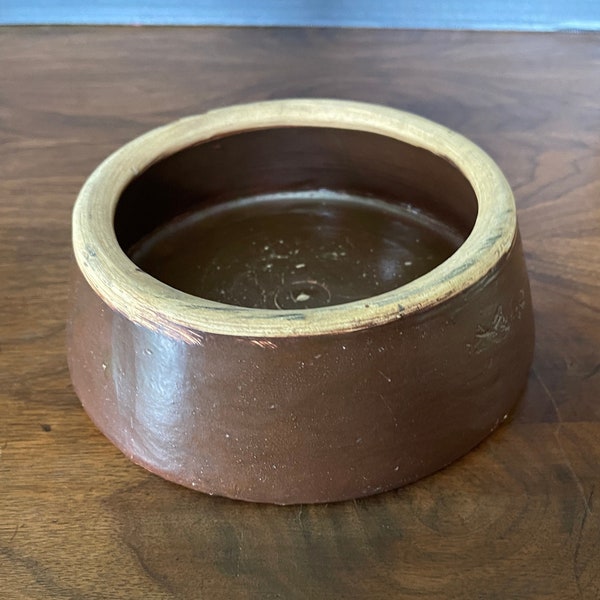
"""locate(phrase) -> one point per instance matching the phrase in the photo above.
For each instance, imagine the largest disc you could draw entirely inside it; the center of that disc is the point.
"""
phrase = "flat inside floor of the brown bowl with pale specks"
(295, 250)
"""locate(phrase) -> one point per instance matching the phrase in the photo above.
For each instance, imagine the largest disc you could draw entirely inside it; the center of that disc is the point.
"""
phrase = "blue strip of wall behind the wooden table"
(528, 15)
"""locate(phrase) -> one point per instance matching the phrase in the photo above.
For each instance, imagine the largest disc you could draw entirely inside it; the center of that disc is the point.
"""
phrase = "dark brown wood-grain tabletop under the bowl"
(519, 517)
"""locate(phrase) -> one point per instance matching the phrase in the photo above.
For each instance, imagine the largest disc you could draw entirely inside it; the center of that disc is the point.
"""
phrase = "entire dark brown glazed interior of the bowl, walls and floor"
(292, 218)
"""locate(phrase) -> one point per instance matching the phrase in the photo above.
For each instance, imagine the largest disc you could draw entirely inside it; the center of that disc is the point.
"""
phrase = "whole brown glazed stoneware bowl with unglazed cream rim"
(298, 301)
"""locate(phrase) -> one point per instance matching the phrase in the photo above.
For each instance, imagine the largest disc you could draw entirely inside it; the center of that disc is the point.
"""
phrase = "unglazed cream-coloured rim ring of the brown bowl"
(150, 303)
